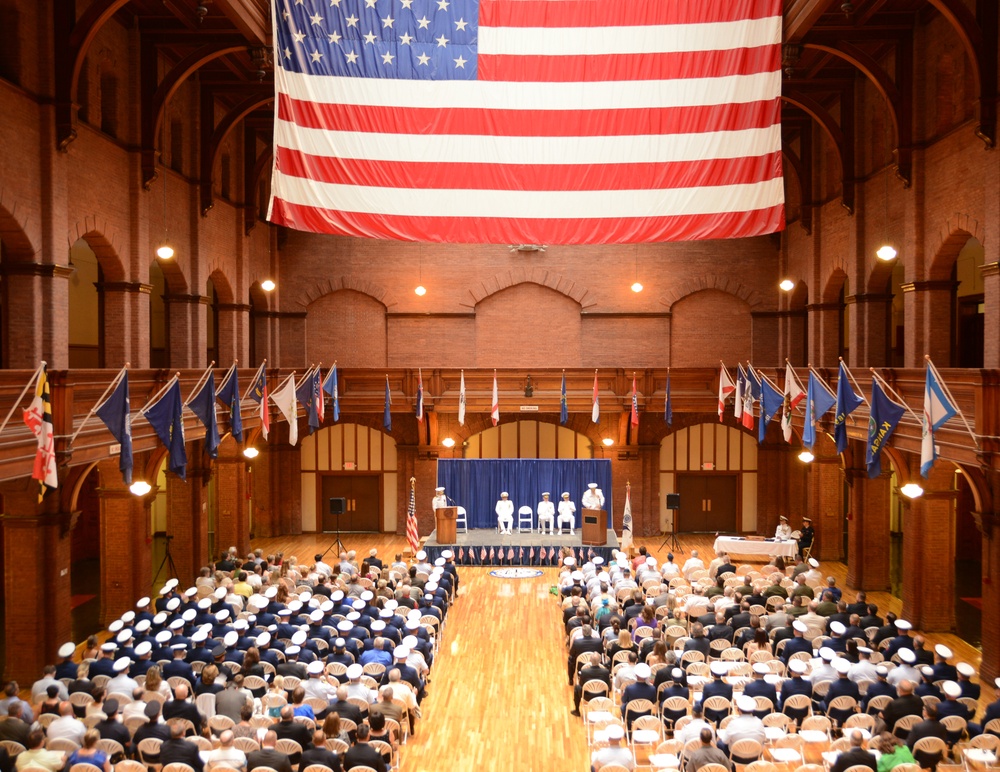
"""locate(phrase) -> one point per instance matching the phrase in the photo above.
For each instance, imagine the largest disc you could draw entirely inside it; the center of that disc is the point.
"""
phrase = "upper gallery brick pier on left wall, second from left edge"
(126, 323)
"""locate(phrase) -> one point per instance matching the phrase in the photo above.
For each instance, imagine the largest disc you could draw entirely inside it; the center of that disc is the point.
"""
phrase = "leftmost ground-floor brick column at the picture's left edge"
(36, 575)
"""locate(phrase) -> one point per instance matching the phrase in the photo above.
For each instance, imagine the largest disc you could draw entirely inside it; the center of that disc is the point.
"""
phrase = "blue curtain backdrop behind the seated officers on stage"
(476, 483)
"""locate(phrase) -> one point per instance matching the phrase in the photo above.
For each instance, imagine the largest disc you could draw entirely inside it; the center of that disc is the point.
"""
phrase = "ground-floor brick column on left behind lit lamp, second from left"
(126, 558)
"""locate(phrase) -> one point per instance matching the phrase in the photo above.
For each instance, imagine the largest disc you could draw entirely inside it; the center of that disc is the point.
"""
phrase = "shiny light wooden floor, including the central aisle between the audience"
(499, 699)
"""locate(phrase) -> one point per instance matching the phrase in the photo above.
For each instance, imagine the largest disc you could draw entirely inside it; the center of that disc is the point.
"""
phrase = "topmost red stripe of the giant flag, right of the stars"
(620, 13)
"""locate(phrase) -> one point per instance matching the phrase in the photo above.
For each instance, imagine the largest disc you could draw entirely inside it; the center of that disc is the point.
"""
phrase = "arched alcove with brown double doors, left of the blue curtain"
(353, 462)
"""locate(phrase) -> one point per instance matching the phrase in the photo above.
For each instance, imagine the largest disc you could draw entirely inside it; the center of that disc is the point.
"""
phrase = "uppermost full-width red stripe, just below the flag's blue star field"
(529, 123)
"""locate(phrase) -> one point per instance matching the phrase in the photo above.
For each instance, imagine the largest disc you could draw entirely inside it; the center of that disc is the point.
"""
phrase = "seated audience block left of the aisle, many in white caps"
(264, 663)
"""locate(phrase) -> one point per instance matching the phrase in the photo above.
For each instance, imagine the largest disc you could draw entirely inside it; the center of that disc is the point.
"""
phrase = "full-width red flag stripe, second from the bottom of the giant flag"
(469, 176)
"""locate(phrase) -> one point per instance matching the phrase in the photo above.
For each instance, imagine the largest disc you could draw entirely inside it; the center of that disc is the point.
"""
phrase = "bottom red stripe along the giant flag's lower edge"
(498, 230)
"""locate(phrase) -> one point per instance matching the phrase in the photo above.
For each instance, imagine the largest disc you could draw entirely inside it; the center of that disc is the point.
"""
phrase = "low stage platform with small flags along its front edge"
(487, 547)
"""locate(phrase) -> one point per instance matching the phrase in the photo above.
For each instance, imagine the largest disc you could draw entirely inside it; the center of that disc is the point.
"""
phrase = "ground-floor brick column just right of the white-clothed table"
(868, 531)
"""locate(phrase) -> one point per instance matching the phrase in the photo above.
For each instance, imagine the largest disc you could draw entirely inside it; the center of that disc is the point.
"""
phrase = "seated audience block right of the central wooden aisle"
(718, 664)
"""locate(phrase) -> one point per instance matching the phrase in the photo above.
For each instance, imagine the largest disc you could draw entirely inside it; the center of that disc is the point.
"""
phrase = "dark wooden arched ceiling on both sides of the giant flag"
(830, 47)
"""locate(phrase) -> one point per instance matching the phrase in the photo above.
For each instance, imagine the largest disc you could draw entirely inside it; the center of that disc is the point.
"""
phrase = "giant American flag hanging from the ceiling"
(528, 121)
